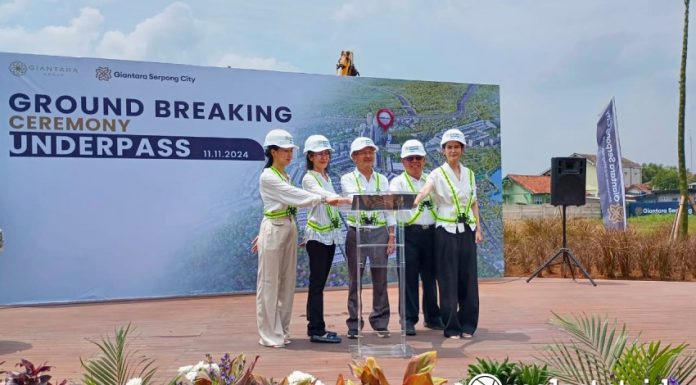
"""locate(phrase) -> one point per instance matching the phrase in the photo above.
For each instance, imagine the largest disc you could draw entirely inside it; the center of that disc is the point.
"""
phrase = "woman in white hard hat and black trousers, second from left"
(322, 234)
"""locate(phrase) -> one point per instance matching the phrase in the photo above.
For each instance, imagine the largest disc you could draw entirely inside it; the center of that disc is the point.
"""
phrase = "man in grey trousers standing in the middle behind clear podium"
(375, 228)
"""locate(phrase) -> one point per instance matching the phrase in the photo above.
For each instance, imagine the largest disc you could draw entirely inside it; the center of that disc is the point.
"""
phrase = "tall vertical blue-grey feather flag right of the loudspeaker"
(610, 171)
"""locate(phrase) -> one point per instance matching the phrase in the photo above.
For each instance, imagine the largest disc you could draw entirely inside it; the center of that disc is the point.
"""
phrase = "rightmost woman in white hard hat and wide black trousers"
(457, 232)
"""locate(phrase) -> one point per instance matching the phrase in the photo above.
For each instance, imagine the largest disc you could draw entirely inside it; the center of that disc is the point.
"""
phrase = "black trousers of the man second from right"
(420, 263)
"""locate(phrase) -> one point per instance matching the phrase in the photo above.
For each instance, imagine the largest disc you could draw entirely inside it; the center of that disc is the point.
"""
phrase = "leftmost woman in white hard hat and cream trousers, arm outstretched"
(277, 240)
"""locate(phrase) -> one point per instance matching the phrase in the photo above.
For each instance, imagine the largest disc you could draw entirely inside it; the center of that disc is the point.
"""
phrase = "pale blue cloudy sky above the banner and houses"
(558, 63)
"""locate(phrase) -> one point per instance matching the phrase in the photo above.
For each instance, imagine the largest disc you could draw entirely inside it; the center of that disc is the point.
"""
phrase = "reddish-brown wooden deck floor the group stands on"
(176, 332)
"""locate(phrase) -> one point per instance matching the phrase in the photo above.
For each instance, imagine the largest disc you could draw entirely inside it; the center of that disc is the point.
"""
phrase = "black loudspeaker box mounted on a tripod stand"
(568, 181)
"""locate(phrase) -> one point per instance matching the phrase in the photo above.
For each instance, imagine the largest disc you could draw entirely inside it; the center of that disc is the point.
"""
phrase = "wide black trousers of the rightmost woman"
(457, 278)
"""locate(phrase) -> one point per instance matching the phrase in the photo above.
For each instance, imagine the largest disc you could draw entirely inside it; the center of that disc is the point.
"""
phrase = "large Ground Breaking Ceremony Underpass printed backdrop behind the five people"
(124, 179)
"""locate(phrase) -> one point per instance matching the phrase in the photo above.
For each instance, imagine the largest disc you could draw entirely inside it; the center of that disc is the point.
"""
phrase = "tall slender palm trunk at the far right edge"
(683, 192)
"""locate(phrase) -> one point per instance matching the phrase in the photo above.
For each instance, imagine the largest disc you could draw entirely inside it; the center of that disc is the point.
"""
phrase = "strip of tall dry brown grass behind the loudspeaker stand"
(644, 251)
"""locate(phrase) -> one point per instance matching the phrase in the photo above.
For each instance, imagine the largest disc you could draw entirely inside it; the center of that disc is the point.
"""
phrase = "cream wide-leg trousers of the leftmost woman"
(275, 283)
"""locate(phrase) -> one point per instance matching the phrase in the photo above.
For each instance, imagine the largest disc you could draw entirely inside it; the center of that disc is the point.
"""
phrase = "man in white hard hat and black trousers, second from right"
(419, 234)
